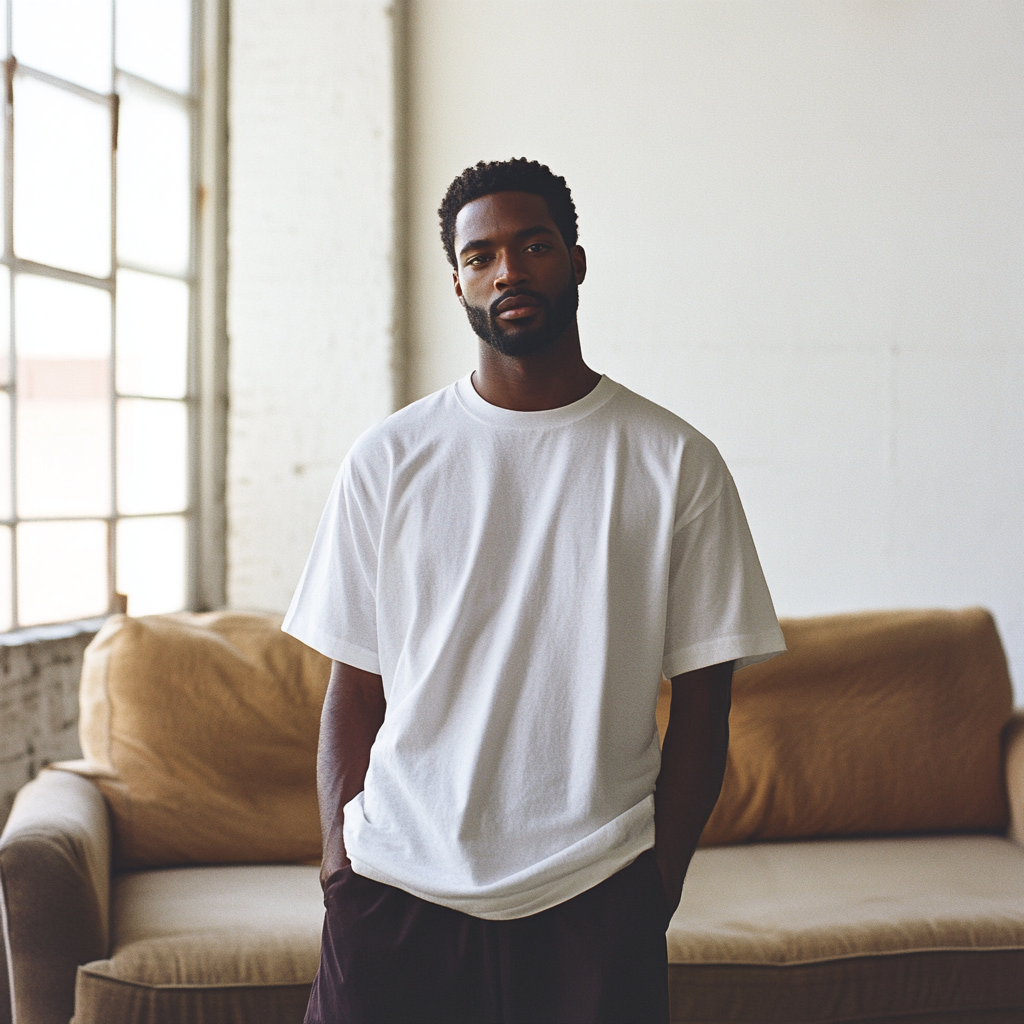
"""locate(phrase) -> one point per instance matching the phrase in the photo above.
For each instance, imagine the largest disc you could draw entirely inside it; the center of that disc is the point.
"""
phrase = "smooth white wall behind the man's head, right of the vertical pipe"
(805, 225)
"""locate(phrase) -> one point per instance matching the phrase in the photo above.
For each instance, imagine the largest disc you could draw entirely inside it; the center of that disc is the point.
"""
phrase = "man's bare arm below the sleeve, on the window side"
(354, 712)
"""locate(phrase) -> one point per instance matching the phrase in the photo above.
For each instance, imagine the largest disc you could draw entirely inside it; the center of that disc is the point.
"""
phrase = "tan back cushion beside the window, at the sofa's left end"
(201, 732)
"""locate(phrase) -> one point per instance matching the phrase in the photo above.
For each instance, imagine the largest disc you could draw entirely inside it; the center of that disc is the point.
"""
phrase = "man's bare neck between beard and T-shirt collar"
(533, 383)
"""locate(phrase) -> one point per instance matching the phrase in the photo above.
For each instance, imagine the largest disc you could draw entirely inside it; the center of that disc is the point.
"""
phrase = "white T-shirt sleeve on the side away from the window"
(719, 609)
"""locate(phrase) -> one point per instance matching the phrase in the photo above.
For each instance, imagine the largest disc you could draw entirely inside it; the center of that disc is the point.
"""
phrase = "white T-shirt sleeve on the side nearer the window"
(334, 610)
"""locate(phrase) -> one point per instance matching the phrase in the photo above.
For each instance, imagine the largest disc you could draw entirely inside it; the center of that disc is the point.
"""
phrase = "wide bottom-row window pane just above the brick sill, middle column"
(62, 572)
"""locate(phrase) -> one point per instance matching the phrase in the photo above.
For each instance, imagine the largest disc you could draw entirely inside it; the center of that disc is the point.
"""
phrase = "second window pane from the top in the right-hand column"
(153, 183)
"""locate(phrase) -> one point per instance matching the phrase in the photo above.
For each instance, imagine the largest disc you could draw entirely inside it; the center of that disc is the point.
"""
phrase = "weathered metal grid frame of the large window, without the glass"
(206, 398)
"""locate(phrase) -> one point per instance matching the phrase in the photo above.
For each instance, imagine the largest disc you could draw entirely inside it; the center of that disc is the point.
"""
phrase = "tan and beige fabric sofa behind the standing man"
(864, 864)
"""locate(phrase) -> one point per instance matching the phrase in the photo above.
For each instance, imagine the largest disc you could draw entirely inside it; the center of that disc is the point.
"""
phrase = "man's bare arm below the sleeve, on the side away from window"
(693, 766)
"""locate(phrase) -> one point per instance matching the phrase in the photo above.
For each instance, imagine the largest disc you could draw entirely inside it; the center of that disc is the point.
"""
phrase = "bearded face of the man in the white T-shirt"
(517, 279)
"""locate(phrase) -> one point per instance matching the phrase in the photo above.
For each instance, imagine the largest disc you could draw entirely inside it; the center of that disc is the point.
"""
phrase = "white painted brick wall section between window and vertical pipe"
(313, 356)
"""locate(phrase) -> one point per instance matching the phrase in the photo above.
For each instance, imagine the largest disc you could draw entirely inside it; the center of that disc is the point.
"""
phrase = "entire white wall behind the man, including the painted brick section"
(806, 235)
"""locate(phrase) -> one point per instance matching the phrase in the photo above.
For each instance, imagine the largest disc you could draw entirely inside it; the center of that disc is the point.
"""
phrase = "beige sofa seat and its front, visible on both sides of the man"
(819, 931)
